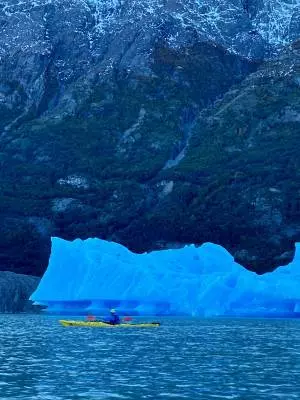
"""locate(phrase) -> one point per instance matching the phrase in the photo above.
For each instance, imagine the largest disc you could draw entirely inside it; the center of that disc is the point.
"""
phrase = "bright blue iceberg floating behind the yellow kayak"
(94, 275)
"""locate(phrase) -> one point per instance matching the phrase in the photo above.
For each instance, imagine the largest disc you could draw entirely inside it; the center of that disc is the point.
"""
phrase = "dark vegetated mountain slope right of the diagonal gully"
(242, 170)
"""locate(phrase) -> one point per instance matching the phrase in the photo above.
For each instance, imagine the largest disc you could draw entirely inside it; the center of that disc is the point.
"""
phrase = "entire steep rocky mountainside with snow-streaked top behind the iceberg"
(151, 123)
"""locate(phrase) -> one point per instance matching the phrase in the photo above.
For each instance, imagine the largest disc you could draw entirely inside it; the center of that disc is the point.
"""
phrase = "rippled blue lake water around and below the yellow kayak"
(184, 359)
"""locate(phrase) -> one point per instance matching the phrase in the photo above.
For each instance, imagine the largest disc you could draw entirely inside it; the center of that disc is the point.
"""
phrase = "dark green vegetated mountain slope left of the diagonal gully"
(93, 172)
